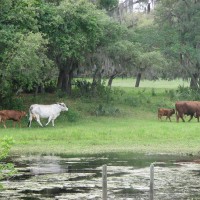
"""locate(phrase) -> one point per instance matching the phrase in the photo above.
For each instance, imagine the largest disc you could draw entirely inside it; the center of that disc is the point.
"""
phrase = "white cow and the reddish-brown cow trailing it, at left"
(36, 111)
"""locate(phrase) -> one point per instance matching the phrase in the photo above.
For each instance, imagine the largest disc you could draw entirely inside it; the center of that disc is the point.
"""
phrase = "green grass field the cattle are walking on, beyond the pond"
(133, 128)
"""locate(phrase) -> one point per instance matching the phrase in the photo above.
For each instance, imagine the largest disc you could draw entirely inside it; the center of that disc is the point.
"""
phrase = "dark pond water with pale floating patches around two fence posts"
(45, 177)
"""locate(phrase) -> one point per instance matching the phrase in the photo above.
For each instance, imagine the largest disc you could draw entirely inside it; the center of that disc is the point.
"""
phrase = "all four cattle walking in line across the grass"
(37, 111)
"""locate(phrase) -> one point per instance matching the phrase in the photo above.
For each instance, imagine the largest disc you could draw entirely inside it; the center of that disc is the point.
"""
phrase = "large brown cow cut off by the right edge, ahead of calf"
(191, 108)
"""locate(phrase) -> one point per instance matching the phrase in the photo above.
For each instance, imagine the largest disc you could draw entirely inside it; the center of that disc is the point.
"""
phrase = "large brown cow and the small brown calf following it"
(190, 108)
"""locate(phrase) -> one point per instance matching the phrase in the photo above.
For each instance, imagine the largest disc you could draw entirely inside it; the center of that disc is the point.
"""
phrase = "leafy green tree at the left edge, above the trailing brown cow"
(23, 59)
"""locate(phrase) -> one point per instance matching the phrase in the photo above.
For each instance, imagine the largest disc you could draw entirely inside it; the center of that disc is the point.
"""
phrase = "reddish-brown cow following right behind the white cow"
(13, 115)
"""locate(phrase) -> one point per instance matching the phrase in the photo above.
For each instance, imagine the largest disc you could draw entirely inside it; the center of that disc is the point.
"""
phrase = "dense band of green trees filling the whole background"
(46, 44)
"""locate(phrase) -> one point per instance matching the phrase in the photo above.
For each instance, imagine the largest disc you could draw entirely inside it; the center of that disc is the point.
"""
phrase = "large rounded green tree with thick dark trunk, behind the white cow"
(76, 30)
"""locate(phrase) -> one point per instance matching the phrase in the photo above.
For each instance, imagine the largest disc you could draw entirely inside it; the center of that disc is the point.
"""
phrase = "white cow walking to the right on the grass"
(51, 112)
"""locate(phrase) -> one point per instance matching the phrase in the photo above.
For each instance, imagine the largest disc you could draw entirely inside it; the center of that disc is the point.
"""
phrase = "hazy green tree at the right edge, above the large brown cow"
(179, 24)
